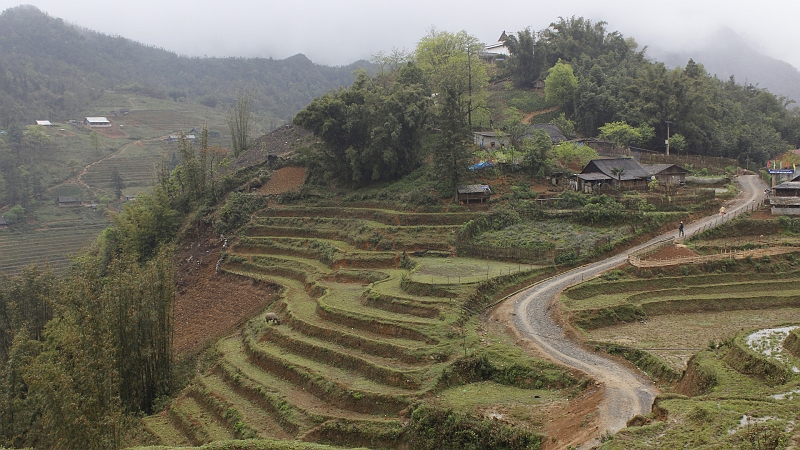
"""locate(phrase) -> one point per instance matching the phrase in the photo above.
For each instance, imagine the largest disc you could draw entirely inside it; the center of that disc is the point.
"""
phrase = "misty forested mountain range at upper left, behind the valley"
(49, 68)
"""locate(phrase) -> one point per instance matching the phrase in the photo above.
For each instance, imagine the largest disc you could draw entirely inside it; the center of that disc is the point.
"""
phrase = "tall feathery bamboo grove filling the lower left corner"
(80, 356)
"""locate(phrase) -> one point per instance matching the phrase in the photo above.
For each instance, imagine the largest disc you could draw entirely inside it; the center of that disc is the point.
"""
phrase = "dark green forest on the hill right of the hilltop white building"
(616, 83)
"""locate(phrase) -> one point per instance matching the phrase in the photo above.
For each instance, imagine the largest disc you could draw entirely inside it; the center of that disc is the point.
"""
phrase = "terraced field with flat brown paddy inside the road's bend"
(675, 317)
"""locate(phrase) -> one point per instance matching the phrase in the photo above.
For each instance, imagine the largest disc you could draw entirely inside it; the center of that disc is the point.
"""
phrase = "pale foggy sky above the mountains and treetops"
(338, 33)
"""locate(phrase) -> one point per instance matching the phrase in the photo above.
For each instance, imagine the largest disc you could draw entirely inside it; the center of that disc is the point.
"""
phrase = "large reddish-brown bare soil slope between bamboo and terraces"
(209, 305)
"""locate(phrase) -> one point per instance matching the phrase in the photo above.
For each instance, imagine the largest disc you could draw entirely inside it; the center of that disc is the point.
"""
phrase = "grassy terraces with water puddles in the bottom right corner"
(732, 396)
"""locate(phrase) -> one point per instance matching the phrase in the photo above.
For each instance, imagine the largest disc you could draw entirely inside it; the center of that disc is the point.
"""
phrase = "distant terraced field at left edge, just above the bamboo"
(51, 245)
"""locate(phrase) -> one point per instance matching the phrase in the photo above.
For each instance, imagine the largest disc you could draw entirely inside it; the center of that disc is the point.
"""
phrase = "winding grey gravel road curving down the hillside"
(626, 393)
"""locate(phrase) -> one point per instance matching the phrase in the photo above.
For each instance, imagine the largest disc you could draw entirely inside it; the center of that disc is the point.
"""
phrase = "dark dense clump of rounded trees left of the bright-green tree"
(373, 130)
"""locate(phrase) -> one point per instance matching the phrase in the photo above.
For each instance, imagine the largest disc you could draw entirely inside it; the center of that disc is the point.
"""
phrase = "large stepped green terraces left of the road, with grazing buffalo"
(354, 348)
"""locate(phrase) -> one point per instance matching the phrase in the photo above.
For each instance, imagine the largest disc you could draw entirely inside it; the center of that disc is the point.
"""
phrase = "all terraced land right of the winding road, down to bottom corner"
(720, 338)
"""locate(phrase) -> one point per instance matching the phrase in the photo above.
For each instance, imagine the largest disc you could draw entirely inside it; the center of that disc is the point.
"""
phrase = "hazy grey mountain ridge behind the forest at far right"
(726, 53)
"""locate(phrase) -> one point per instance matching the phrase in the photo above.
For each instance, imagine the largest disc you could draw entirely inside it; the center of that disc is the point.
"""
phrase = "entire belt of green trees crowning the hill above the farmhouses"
(423, 104)
